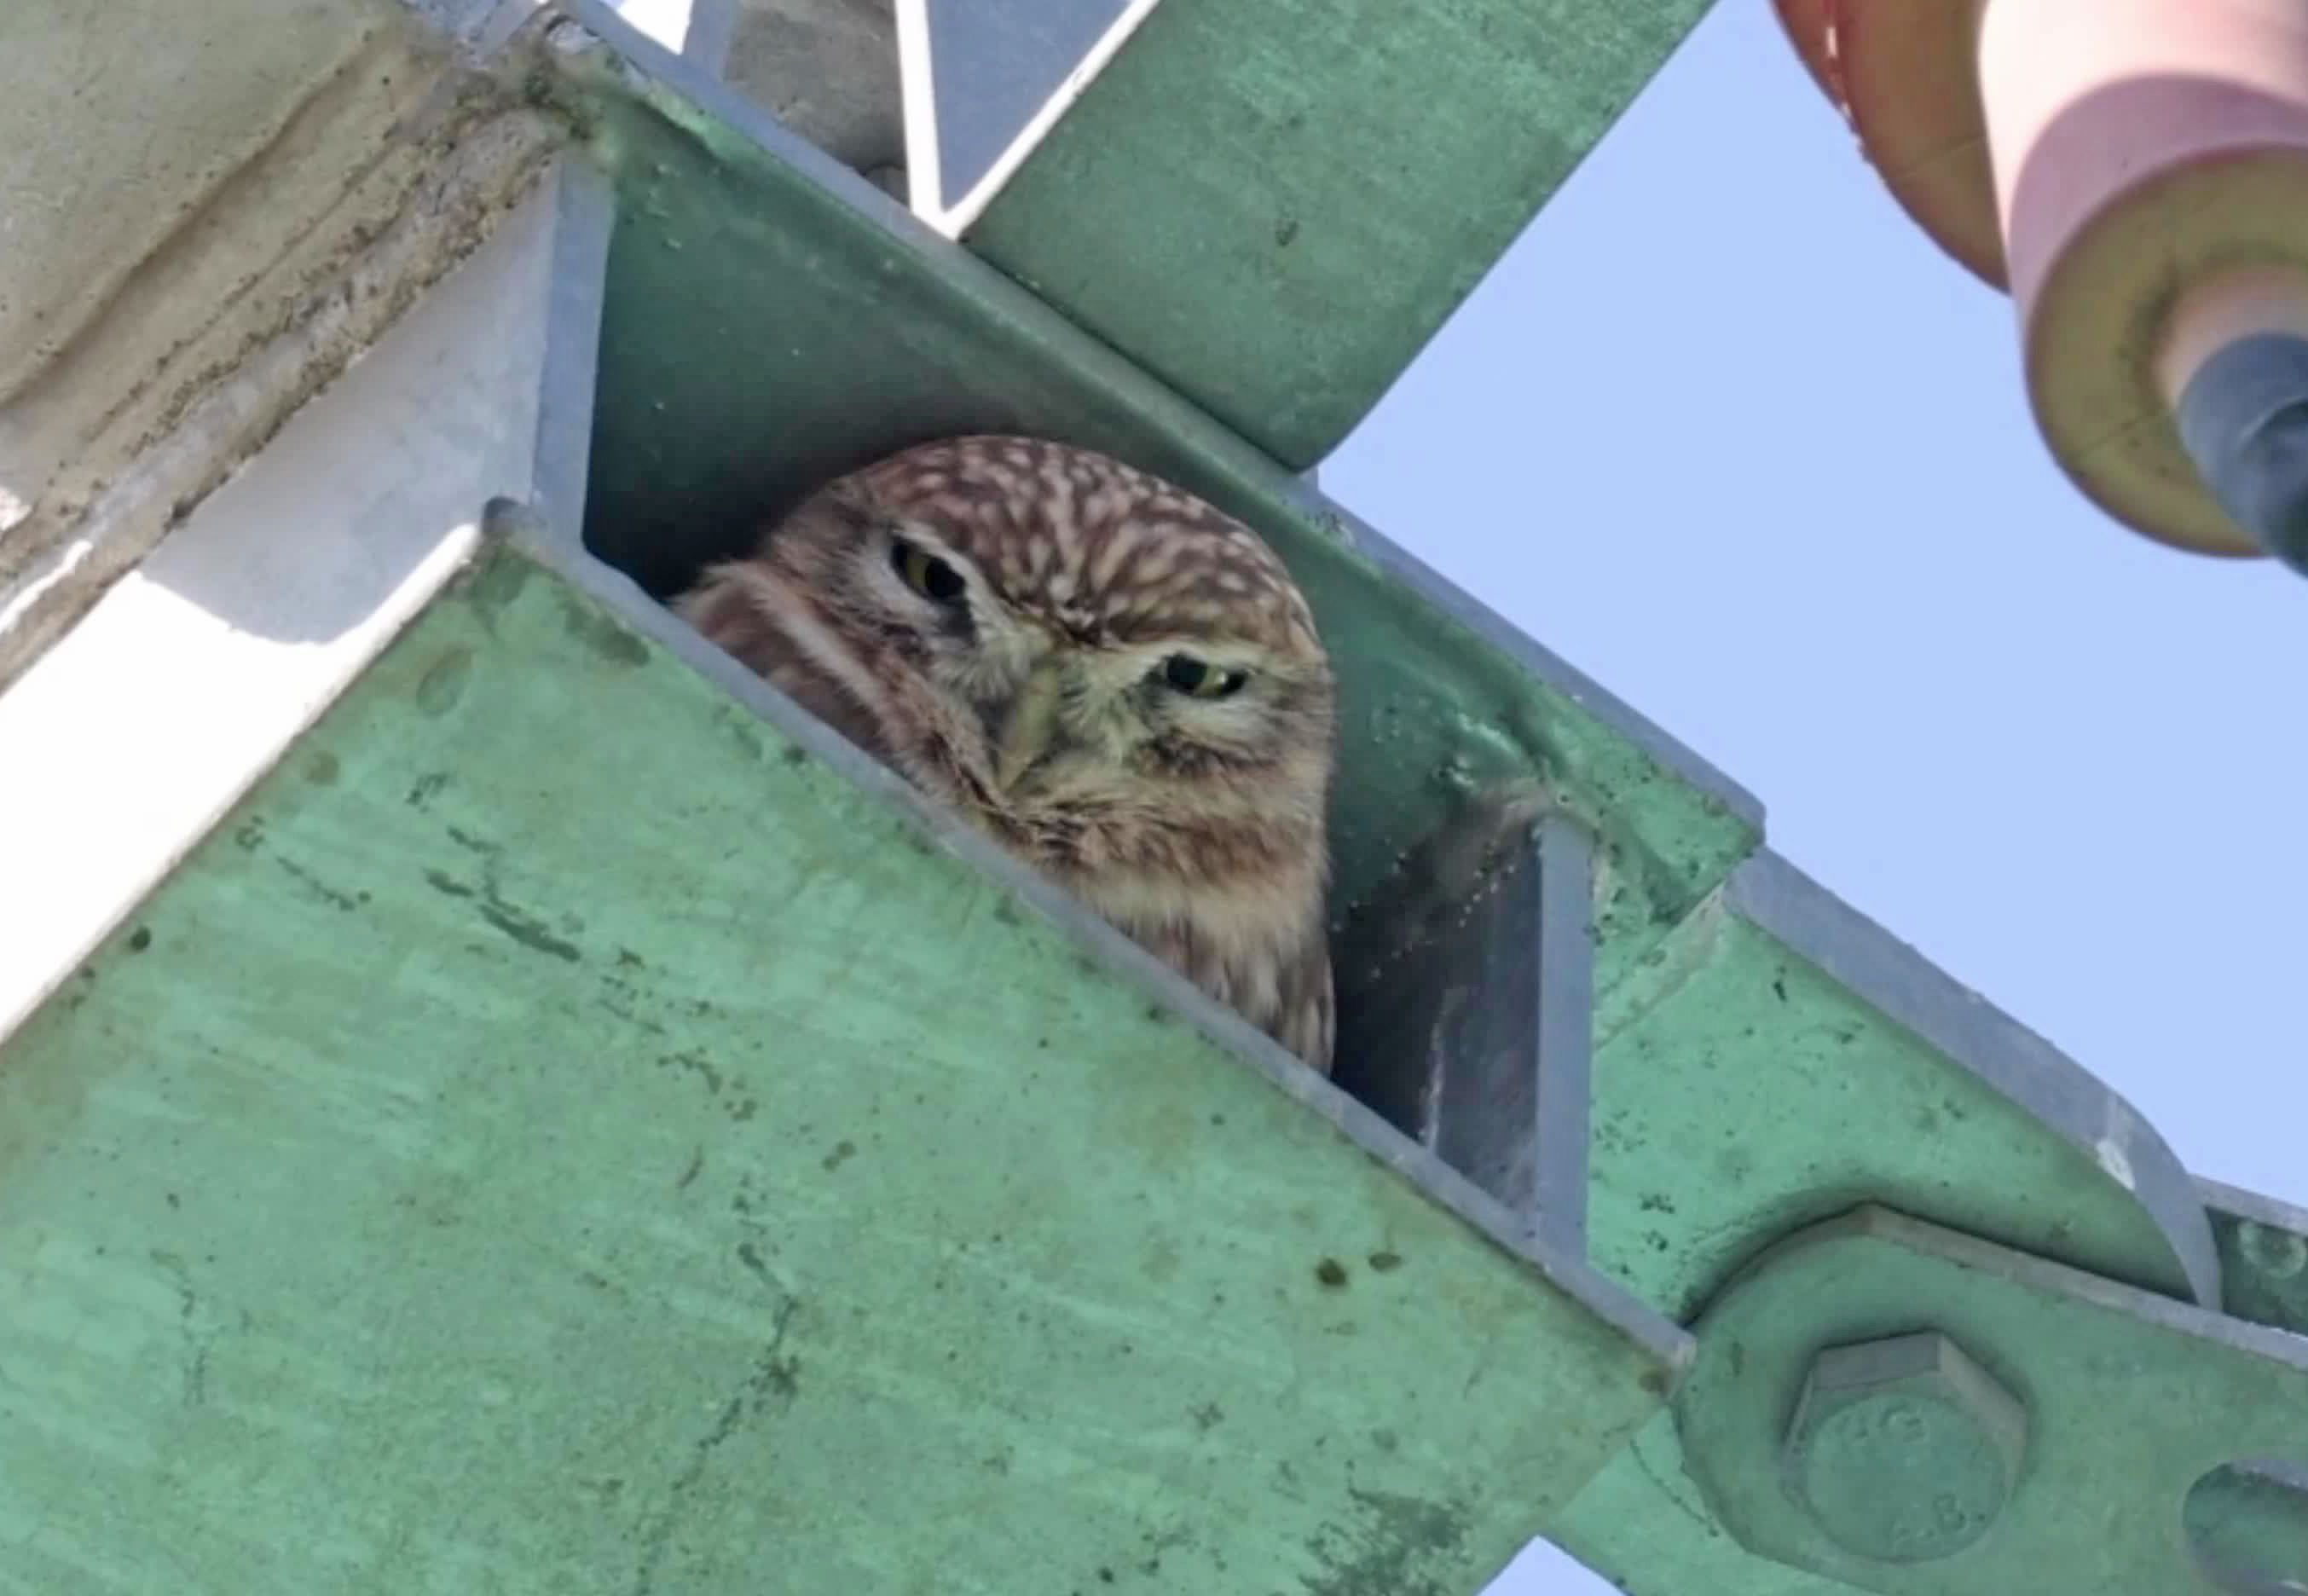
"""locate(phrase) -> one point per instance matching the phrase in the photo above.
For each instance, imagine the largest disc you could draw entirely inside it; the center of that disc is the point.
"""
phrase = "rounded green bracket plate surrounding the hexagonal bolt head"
(2131, 1403)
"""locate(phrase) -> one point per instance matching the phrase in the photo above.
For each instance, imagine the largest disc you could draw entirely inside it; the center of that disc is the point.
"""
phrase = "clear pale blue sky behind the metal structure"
(1730, 435)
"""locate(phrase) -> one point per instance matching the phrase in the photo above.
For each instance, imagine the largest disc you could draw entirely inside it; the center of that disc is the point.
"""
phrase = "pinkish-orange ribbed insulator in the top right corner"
(2134, 172)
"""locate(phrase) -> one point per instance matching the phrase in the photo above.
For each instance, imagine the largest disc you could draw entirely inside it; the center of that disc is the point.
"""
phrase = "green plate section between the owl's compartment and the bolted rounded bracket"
(1741, 1092)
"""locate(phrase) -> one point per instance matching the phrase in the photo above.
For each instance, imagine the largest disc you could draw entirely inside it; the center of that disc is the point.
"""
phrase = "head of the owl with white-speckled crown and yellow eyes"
(1063, 628)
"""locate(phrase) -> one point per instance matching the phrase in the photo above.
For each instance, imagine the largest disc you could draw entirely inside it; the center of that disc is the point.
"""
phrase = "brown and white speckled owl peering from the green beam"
(1109, 677)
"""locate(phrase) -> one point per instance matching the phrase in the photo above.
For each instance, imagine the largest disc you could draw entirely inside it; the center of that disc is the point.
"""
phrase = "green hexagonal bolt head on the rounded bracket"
(1903, 1450)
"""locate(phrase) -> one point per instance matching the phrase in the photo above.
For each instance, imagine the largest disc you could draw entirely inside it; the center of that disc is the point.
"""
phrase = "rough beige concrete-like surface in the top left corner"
(204, 216)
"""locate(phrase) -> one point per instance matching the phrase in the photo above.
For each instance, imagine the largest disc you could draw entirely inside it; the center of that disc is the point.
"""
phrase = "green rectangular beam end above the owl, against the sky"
(1275, 206)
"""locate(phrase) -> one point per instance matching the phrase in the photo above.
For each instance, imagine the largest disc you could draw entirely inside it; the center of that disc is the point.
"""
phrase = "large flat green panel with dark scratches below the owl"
(560, 1136)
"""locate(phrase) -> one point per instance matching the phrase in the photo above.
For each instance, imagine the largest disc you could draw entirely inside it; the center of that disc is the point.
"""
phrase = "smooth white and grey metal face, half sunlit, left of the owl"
(276, 592)
